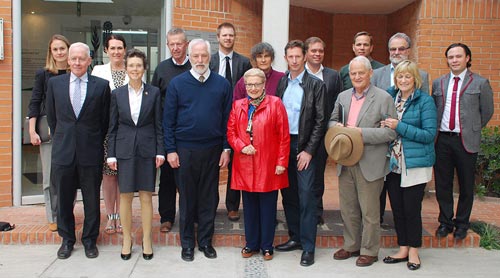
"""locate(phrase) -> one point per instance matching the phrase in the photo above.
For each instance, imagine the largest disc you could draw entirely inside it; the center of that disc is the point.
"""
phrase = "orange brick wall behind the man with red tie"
(475, 23)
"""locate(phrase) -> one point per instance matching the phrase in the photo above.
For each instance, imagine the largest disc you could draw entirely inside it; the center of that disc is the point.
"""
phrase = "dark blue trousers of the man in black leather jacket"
(300, 202)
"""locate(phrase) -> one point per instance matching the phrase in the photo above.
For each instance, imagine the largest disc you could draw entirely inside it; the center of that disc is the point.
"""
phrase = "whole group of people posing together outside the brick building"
(274, 131)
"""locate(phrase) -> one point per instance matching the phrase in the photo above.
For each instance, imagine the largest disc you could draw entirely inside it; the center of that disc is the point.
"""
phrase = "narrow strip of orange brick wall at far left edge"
(6, 106)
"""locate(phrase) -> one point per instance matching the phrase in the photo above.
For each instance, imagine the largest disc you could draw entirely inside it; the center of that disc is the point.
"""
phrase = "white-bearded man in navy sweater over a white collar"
(195, 118)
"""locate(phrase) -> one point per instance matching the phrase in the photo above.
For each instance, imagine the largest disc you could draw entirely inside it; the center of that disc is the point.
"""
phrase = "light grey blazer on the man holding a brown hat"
(374, 162)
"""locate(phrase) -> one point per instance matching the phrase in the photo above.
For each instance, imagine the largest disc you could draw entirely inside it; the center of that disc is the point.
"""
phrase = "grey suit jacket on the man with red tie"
(475, 106)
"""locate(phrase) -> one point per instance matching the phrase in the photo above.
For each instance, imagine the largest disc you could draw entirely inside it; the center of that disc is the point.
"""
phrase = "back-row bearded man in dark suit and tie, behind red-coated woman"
(231, 65)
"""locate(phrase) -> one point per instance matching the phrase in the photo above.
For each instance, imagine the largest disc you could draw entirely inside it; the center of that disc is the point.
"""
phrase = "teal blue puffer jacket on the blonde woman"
(418, 128)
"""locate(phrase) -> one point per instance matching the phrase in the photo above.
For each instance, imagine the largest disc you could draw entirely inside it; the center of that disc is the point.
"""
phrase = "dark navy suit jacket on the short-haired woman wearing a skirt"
(126, 139)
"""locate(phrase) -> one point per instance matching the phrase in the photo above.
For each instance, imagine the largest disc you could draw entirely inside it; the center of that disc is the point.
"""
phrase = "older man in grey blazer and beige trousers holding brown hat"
(363, 107)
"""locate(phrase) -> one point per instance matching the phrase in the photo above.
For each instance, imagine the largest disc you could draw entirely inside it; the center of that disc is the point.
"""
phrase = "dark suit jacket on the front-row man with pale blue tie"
(77, 140)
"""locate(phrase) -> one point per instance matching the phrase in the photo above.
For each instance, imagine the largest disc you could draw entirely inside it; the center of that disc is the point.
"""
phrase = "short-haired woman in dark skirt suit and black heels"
(136, 148)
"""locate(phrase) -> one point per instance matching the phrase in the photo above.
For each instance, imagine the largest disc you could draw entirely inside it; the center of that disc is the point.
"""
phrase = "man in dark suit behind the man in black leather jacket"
(315, 54)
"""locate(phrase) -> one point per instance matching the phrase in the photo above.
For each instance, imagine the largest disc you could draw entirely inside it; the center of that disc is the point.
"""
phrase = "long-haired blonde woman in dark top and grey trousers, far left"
(56, 63)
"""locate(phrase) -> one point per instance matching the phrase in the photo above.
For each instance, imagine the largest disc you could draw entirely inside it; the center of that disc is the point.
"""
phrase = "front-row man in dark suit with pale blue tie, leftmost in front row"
(78, 114)
